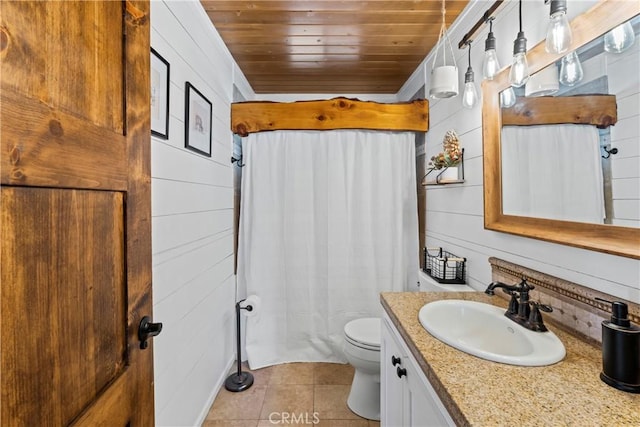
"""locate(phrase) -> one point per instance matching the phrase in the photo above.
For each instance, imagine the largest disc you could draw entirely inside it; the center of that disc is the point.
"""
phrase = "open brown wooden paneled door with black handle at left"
(75, 214)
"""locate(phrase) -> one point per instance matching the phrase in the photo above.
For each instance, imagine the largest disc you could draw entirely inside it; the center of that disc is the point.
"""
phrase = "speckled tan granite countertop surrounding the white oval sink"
(482, 393)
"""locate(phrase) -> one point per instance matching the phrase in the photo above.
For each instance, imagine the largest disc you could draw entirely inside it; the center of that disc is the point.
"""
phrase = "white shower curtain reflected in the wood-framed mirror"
(554, 172)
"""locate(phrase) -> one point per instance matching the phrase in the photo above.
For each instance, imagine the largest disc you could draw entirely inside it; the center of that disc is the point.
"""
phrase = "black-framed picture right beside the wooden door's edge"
(159, 96)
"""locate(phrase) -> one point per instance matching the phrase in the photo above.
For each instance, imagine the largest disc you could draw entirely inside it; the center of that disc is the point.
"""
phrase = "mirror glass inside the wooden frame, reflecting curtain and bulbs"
(568, 152)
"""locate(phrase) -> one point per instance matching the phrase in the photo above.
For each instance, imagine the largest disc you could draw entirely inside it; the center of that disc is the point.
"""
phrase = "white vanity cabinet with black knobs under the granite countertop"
(407, 398)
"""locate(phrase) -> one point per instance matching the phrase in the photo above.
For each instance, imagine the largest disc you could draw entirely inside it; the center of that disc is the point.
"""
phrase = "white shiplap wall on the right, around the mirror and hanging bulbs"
(455, 212)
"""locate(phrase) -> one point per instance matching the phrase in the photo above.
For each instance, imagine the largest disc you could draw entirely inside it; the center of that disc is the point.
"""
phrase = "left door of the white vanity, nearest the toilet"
(392, 402)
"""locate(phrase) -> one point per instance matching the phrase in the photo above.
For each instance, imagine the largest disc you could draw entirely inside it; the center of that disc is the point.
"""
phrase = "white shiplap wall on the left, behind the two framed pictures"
(192, 228)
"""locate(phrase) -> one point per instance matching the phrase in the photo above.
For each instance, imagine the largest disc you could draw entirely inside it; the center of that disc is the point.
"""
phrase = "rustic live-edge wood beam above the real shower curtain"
(331, 114)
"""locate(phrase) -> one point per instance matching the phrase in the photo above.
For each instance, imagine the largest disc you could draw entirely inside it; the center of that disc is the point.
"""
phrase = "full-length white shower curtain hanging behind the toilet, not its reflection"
(328, 221)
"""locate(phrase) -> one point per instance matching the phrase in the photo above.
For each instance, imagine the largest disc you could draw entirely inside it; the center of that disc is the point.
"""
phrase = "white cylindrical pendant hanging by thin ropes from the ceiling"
(444, 77)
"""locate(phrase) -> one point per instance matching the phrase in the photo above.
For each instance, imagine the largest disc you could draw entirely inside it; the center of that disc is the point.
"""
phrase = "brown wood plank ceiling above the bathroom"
(329, 46)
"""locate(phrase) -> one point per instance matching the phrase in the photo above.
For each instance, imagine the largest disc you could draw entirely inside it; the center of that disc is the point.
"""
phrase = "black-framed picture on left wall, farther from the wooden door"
(197, 121)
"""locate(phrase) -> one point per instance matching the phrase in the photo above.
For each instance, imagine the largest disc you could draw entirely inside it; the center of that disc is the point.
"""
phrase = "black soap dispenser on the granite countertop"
(620, 350)
